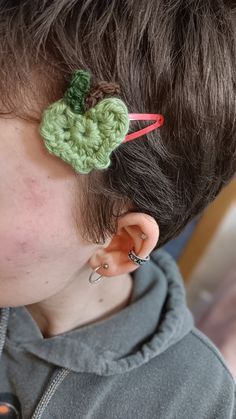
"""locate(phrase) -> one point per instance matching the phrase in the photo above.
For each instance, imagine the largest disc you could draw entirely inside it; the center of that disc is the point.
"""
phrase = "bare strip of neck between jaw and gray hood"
(81, 304)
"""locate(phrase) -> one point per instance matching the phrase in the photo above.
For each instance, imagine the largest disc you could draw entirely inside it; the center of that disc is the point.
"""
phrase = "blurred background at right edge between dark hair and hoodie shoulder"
(206, 255)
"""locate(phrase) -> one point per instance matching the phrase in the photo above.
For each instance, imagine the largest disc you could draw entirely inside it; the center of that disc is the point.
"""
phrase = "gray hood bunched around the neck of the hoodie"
(156, 319)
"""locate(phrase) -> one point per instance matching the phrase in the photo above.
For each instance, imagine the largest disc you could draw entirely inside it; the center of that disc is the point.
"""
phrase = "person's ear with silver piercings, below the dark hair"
(128, 236)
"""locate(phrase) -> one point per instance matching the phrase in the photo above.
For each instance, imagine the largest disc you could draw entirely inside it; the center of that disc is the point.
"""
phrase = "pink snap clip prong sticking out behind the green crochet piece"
(144, 117)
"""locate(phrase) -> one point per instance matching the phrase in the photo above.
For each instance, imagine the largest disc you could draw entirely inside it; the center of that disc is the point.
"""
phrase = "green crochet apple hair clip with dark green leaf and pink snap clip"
(86, 139)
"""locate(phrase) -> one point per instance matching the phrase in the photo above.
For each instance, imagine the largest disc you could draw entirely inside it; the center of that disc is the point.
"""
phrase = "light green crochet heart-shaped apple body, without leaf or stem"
(85, 141)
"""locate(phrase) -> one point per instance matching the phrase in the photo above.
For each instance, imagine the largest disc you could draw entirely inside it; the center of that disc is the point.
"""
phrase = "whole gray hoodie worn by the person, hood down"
(146, 361)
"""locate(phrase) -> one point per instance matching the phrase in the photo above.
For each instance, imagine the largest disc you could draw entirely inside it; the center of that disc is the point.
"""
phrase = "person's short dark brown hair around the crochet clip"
(175, 57)
